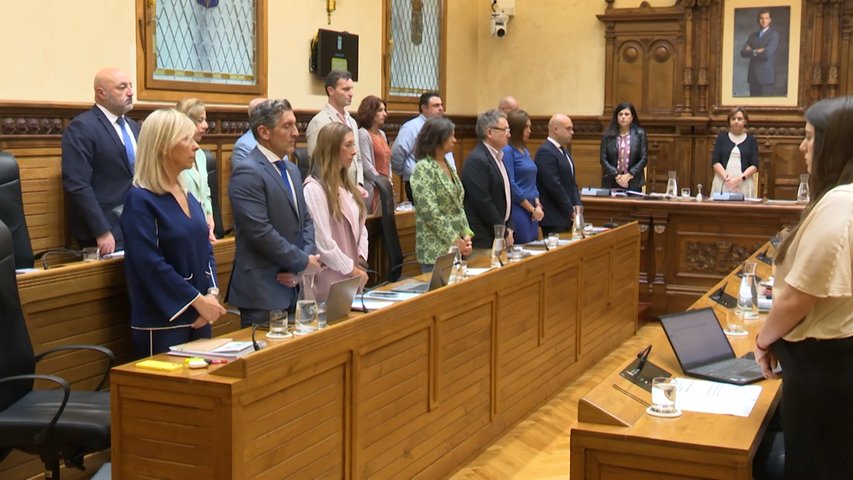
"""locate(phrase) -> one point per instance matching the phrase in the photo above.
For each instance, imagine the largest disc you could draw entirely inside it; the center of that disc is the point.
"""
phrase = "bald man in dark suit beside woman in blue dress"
(555, 179)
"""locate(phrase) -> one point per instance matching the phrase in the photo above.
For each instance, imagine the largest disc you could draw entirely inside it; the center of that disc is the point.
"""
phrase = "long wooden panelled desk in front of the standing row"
(413, 390)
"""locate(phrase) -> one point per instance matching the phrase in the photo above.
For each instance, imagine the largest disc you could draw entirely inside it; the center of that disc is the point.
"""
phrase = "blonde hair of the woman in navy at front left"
(160, 132)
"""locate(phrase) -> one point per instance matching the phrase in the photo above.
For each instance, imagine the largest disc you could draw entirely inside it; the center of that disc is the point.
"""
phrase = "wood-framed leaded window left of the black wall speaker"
(215, 49)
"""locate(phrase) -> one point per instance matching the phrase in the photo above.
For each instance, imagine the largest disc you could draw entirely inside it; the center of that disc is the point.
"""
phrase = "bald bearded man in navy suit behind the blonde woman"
(98, 154)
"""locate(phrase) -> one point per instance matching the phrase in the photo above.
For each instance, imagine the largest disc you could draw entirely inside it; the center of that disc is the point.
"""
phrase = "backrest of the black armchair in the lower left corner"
(16, 351)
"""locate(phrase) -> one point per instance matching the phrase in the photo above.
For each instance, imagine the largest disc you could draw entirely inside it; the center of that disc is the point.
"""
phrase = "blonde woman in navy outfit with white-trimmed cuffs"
(171, 273)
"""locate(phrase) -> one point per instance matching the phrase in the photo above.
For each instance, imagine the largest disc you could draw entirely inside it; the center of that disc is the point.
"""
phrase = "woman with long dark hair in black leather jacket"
(624, 150)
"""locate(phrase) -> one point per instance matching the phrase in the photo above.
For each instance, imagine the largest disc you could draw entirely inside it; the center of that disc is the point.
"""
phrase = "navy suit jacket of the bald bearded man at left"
(96, 175)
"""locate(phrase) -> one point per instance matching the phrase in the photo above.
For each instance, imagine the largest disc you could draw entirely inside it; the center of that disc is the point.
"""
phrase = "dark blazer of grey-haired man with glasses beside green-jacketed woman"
(485, 198)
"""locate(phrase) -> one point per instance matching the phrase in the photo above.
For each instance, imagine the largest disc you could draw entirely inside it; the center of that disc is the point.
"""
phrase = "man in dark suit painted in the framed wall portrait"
(760, 48)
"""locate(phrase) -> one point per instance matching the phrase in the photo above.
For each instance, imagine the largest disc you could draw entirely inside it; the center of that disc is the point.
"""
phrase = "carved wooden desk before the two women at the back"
(686, 246)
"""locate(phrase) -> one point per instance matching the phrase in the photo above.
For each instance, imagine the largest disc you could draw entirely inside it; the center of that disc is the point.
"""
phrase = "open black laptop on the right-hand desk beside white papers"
(703, 350)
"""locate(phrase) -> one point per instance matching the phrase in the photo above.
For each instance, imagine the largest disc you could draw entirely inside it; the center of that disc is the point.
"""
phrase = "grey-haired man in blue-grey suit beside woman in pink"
(275, 233)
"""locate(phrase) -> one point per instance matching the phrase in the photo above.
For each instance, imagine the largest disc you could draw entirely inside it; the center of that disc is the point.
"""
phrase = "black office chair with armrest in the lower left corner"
(55, 424)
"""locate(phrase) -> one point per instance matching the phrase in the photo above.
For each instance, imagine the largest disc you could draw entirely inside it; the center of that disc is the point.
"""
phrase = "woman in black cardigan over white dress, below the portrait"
(735, 157)
